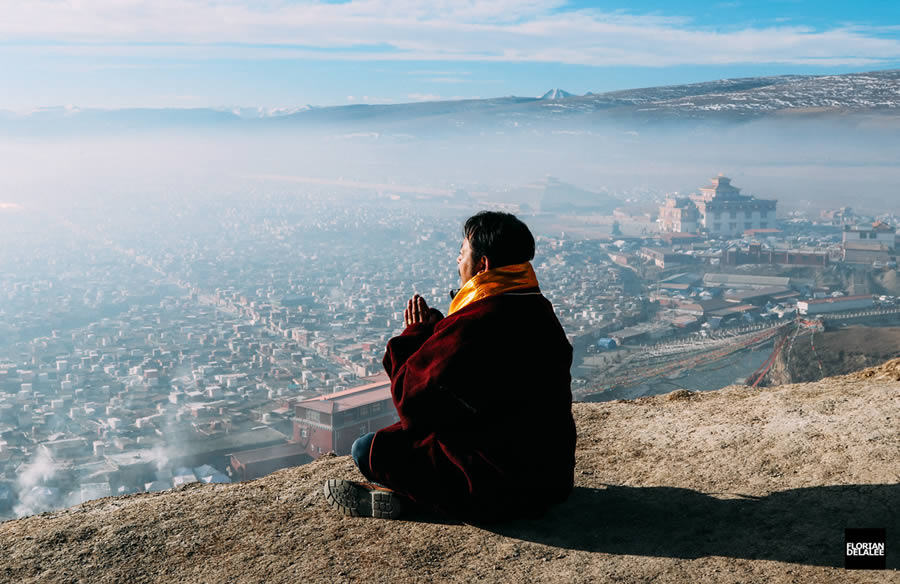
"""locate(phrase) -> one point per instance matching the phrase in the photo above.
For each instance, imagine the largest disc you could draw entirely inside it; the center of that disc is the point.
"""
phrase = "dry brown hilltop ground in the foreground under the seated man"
(736, 485)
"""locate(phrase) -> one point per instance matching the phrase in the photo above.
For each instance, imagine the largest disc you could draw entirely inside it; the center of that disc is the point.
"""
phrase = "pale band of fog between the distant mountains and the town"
(802, 163)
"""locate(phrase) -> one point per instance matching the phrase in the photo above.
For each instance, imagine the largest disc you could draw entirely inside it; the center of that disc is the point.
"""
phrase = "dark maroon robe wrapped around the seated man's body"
(485, 407)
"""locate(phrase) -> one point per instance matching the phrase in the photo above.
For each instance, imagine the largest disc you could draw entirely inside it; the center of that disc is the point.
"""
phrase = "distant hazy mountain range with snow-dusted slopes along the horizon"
(728, 100)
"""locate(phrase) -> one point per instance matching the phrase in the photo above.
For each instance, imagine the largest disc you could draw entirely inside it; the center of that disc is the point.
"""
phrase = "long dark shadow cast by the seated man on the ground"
(801, 526)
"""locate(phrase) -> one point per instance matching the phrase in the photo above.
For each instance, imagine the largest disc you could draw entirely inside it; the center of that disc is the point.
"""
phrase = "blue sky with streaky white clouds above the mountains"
(288, 53)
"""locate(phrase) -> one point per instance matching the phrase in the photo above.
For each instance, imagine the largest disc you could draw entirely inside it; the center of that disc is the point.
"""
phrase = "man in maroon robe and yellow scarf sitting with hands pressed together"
(483, 396)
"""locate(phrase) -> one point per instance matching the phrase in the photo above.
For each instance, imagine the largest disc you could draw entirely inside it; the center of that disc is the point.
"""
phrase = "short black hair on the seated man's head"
(501, 237)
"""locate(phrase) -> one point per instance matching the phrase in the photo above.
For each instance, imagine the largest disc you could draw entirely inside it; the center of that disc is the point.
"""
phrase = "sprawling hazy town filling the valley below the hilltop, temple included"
(218, 340)
